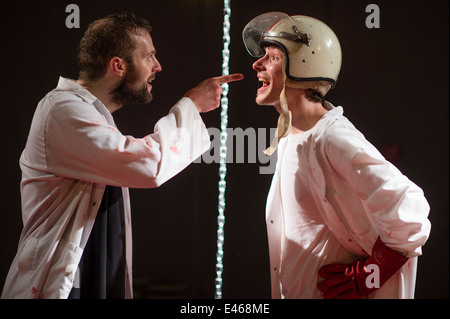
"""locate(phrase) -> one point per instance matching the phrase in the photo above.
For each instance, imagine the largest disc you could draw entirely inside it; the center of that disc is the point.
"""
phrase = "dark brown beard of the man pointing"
(123, 94)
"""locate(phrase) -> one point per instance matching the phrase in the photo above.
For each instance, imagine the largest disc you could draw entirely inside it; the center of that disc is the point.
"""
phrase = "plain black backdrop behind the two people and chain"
(393, 87)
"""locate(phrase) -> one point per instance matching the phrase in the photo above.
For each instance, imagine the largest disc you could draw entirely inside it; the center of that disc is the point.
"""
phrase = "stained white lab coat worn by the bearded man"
(73, 150)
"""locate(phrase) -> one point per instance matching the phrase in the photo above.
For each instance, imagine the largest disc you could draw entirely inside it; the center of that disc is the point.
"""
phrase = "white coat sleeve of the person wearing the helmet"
(395, 205)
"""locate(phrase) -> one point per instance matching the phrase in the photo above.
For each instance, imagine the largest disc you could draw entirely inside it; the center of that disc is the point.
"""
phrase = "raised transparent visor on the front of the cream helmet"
(257, 29)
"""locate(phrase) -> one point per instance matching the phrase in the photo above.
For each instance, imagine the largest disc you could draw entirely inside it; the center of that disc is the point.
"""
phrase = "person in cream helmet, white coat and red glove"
(342, 222)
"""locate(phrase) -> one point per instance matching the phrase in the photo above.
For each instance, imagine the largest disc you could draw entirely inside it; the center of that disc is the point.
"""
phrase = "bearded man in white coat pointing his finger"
(77, 166)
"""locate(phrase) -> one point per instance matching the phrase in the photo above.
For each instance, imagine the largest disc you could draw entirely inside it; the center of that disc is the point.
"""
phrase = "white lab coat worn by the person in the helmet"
(359, 196)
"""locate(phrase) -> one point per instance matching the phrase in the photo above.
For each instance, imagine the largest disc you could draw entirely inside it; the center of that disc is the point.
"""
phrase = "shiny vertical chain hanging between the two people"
(223, 150)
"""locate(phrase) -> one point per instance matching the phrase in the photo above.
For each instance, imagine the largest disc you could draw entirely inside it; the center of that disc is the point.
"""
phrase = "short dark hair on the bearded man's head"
(106, 38)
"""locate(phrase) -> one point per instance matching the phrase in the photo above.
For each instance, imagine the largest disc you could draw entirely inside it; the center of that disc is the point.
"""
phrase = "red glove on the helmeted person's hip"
(348, 281)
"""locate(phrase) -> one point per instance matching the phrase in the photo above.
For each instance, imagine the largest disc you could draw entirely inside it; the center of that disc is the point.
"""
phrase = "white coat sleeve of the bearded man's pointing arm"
(81, 144)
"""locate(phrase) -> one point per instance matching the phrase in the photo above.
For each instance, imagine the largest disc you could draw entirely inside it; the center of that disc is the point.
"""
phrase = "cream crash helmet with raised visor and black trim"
(312, 50)
